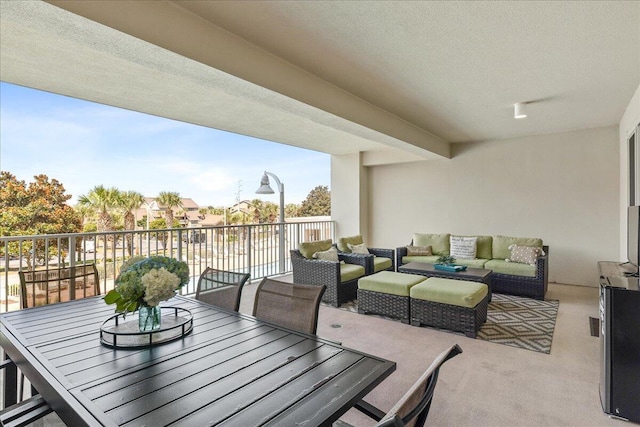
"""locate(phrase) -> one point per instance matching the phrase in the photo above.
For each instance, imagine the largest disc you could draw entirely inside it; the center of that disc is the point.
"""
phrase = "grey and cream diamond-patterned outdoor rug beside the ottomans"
(514, 321)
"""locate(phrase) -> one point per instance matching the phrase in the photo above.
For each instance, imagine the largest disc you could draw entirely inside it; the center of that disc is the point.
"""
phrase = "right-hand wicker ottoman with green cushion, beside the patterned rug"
(457, 305)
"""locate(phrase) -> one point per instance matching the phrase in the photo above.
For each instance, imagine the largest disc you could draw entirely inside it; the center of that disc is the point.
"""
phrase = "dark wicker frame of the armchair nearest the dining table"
(318, 272)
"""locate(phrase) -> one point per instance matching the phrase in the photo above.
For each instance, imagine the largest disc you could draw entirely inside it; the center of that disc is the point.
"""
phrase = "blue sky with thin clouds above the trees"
(83, 144)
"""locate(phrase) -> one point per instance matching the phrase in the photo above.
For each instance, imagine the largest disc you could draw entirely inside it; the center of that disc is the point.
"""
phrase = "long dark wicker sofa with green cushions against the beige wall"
(492, 254)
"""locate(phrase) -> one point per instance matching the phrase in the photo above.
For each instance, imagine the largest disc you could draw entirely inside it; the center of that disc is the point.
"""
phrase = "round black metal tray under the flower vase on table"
(115, 332)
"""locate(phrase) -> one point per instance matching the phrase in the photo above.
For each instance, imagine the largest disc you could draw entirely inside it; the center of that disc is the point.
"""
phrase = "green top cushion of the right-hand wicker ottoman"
(448, 291)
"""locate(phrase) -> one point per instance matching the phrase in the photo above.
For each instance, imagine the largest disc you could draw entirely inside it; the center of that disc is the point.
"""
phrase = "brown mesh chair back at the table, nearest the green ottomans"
(291, 305)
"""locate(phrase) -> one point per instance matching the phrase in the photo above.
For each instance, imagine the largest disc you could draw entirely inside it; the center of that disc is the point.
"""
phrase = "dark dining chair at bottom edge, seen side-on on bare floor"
(412, 409)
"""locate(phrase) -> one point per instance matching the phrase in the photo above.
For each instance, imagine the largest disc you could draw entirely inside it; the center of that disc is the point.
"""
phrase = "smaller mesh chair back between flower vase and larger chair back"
(221, 288)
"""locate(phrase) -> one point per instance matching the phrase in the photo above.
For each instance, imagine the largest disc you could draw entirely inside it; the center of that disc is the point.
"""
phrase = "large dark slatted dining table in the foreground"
(230, 370)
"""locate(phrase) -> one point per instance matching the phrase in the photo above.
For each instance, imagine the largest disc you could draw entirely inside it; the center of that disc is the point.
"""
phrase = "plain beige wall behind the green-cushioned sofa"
(563, 188)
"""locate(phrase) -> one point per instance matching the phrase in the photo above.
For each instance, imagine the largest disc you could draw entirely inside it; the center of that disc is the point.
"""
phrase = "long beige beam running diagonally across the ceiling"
(167, 25)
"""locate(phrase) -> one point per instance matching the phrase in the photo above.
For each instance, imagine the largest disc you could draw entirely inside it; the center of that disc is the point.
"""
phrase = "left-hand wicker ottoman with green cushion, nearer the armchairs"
(387, 293)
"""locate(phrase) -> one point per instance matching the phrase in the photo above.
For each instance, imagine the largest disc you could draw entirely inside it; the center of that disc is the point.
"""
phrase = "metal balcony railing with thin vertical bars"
(252, 249)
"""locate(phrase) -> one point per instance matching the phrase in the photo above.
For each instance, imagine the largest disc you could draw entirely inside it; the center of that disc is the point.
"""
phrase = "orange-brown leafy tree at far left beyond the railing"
(35, 209)
